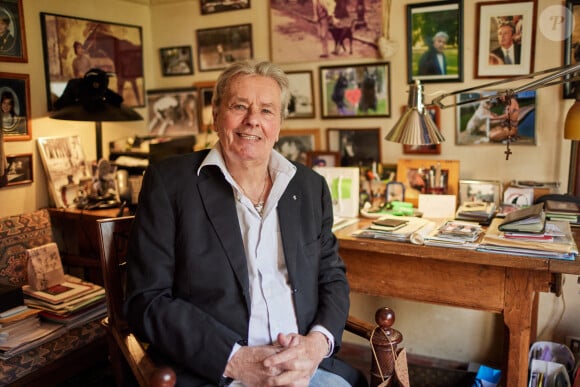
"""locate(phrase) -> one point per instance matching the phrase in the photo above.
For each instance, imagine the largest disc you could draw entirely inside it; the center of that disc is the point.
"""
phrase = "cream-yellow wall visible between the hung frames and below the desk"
(445, 332)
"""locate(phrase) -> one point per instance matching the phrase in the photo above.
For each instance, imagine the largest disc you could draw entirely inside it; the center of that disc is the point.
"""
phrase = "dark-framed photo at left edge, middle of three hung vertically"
(15, 97)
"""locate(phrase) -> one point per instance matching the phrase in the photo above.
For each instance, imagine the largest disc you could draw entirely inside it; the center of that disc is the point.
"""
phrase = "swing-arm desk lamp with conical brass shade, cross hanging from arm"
(415, 127)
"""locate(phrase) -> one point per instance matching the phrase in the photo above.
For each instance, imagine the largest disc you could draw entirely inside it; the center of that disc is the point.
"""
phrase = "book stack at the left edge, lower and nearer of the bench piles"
(21, 329)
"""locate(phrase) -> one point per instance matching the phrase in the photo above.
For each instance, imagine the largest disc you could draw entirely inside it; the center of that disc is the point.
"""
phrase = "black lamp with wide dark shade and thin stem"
(90, 99)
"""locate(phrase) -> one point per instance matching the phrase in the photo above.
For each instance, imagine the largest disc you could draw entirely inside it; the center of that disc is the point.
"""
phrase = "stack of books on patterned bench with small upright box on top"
(72, 302)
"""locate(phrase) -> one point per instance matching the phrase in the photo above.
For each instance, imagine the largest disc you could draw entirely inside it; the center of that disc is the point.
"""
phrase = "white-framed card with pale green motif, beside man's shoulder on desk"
(343, 183)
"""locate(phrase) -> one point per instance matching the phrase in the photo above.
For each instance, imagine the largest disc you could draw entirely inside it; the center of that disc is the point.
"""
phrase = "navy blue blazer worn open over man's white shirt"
(187, 283)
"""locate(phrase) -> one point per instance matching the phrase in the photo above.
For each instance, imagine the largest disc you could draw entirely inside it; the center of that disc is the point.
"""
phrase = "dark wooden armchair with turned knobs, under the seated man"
(128, 355)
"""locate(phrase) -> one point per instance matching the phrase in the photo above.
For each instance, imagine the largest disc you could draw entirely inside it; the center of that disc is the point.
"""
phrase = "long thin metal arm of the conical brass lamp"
(556, 76)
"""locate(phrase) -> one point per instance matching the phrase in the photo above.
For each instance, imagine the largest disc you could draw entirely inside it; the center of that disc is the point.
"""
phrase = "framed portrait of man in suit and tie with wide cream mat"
(505, 40)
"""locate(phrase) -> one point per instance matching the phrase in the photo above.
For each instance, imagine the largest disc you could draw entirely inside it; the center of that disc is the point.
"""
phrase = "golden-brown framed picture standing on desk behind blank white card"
(411, 172)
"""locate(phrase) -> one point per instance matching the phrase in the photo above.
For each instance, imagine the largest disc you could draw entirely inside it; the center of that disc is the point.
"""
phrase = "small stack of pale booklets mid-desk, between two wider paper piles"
(456, 234)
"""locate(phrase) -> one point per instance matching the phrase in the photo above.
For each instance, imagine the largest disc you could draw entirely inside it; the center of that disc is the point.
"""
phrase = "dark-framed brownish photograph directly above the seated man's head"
(218, 47)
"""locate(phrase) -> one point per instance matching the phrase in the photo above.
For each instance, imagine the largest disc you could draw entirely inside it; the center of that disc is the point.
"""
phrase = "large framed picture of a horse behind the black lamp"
(72, 46)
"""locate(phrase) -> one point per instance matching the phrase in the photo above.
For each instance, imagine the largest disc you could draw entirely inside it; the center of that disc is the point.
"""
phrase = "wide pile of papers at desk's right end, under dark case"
(561, 245)
